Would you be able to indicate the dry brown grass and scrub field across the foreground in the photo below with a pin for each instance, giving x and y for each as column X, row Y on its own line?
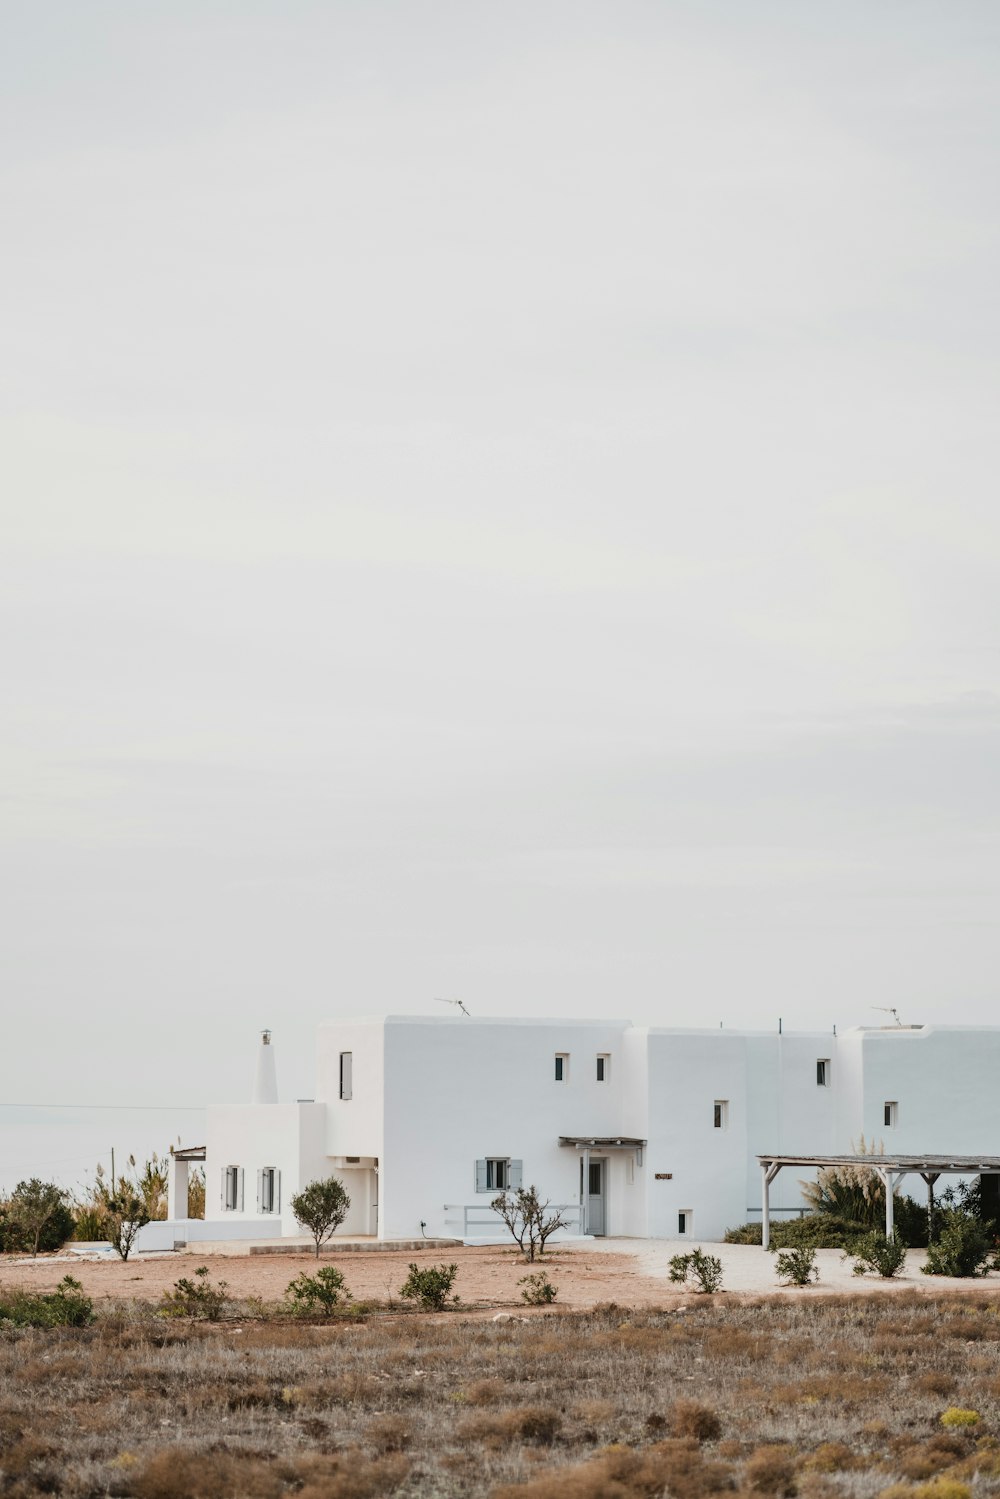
column 779, row 1396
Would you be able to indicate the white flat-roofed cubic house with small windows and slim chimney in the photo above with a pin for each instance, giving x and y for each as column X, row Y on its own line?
column 635, row 1131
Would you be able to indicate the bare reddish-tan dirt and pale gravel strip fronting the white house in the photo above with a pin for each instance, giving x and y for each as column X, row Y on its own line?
column 632, row 1273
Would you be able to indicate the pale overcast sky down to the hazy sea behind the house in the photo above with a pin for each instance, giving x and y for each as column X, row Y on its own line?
column 497, row 501
